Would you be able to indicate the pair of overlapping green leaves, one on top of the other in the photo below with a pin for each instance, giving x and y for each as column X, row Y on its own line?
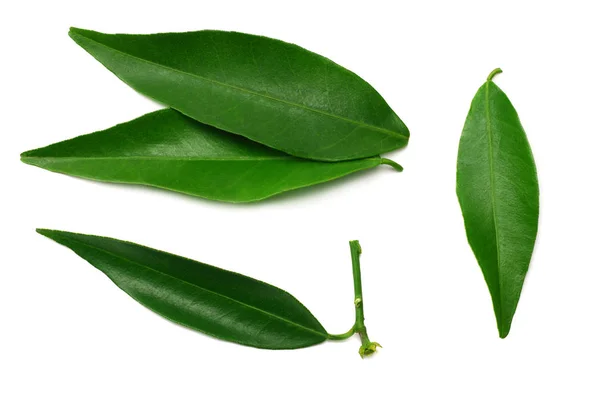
column 250, row 117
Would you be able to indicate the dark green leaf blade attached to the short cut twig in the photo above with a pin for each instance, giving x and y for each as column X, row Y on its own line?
column 211, row 300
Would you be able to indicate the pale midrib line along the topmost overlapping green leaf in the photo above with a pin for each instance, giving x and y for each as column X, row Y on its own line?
column 359, row 123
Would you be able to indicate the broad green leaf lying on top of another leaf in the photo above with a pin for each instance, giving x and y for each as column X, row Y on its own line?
column 272, row 92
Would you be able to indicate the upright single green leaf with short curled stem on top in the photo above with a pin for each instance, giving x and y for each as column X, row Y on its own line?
column 499, row 196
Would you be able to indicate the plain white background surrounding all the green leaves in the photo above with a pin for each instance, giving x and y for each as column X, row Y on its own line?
column 68, row 333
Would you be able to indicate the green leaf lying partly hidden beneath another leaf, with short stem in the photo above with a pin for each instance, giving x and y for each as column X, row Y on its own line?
column 169, row 150
